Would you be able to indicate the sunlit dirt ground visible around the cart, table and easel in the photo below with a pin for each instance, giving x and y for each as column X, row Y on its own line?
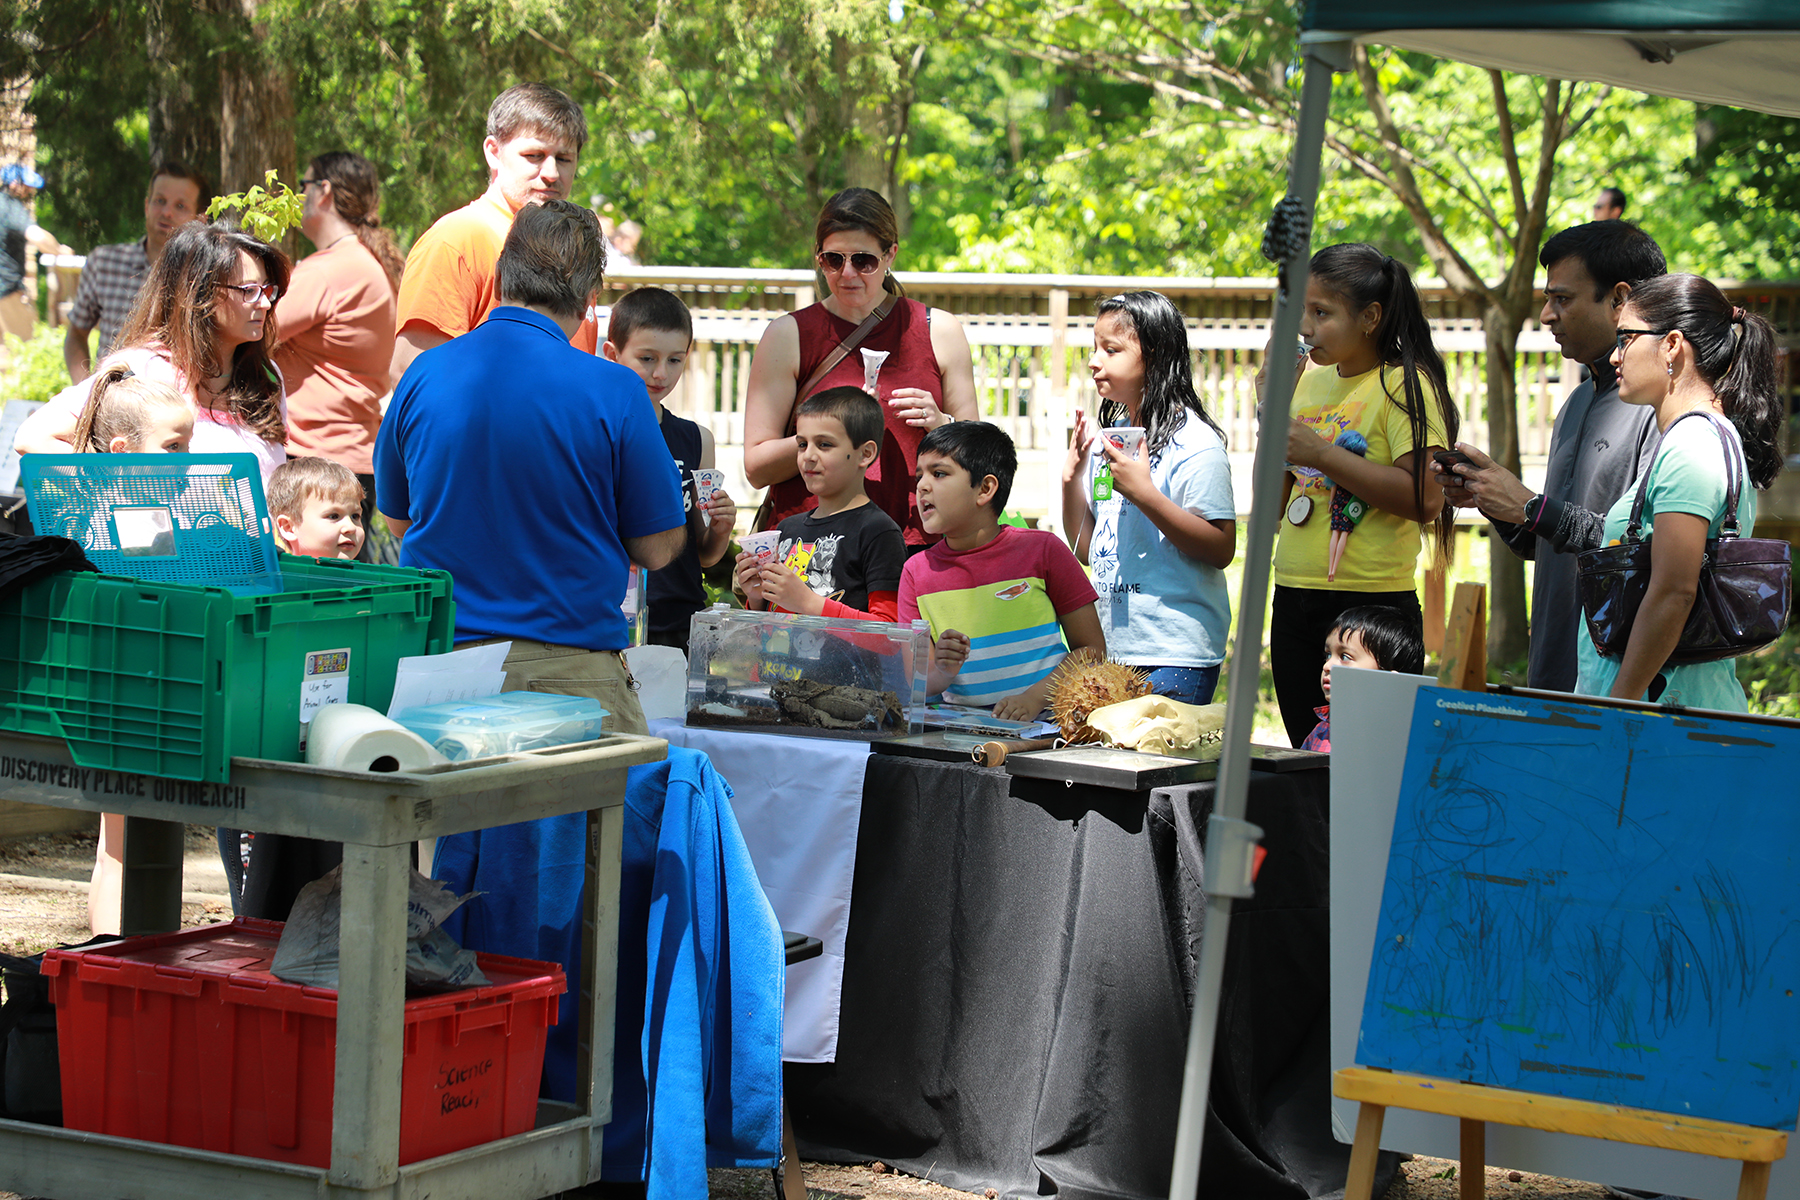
column 44, row 902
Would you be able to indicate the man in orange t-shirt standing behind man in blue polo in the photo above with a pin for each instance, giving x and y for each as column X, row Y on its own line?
column 535, row 134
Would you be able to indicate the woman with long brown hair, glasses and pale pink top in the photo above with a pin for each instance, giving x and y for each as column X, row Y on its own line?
column 204, row 327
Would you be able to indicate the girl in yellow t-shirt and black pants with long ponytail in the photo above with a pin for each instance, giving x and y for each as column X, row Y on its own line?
column 1358, row 452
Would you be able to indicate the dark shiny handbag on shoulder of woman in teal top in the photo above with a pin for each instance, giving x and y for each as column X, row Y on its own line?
column 1745, row 584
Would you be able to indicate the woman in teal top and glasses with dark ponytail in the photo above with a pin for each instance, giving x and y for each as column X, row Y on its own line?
column 1684, row 348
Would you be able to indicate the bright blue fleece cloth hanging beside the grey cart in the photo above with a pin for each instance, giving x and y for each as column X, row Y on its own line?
column 699, row 1082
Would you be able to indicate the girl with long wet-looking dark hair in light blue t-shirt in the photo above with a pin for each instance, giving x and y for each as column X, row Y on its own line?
column 1156, row 523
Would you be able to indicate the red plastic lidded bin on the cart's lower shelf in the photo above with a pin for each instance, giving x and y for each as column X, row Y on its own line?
column 186, row 1039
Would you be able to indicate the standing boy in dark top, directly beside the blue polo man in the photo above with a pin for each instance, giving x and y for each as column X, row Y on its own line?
column 652, row 334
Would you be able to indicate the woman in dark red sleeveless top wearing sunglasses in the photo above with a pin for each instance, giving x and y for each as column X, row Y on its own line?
column 926, row 381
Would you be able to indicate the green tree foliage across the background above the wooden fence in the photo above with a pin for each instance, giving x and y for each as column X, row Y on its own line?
column 1104, row 136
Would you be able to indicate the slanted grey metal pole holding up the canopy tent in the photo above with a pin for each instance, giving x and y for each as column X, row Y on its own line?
column 1230, row 839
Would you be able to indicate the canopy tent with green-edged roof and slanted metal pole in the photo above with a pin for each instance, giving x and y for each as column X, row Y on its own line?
column 1740, row 53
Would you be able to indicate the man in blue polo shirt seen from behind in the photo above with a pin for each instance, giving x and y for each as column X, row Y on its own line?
column 534, row 472
